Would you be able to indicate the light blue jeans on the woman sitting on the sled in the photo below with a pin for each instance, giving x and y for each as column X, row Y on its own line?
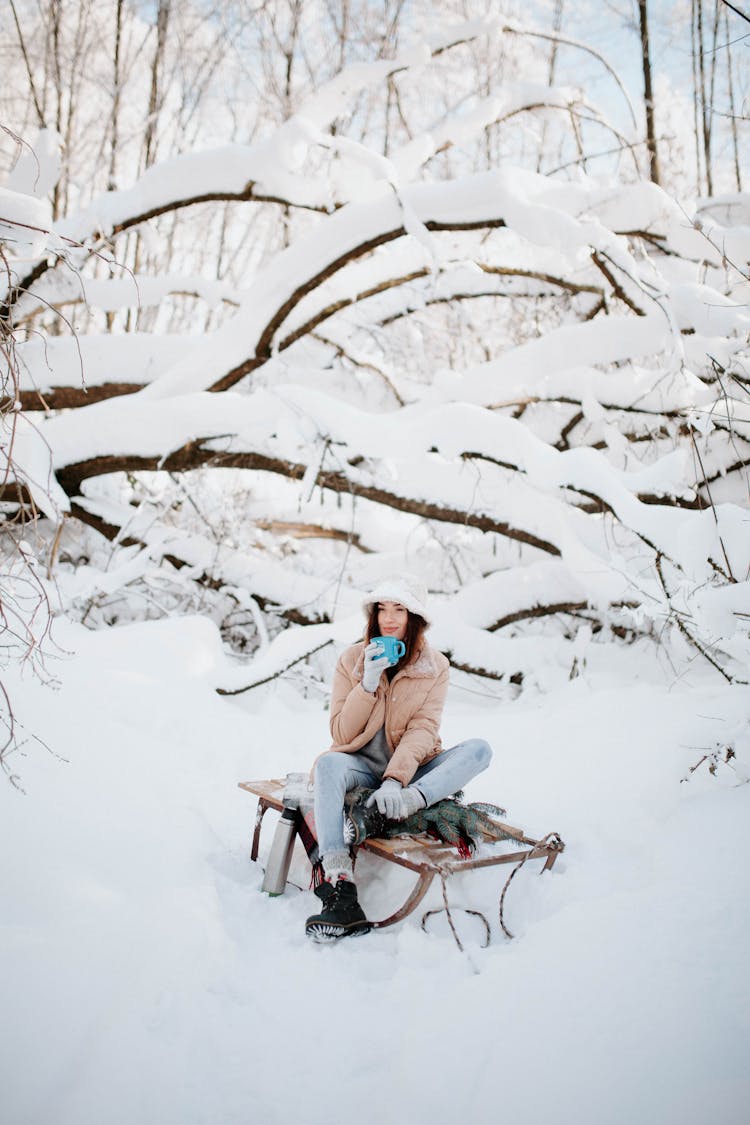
column 336, row 773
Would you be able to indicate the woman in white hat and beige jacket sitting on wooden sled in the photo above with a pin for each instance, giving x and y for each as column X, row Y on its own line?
column 385, row 723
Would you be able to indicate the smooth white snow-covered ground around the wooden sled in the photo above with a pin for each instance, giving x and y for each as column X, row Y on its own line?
column 147, row 978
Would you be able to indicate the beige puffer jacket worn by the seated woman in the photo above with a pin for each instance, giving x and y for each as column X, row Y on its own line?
column 410, row 708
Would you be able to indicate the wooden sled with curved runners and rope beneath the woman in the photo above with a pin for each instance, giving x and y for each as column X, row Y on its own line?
column 426, row 857
